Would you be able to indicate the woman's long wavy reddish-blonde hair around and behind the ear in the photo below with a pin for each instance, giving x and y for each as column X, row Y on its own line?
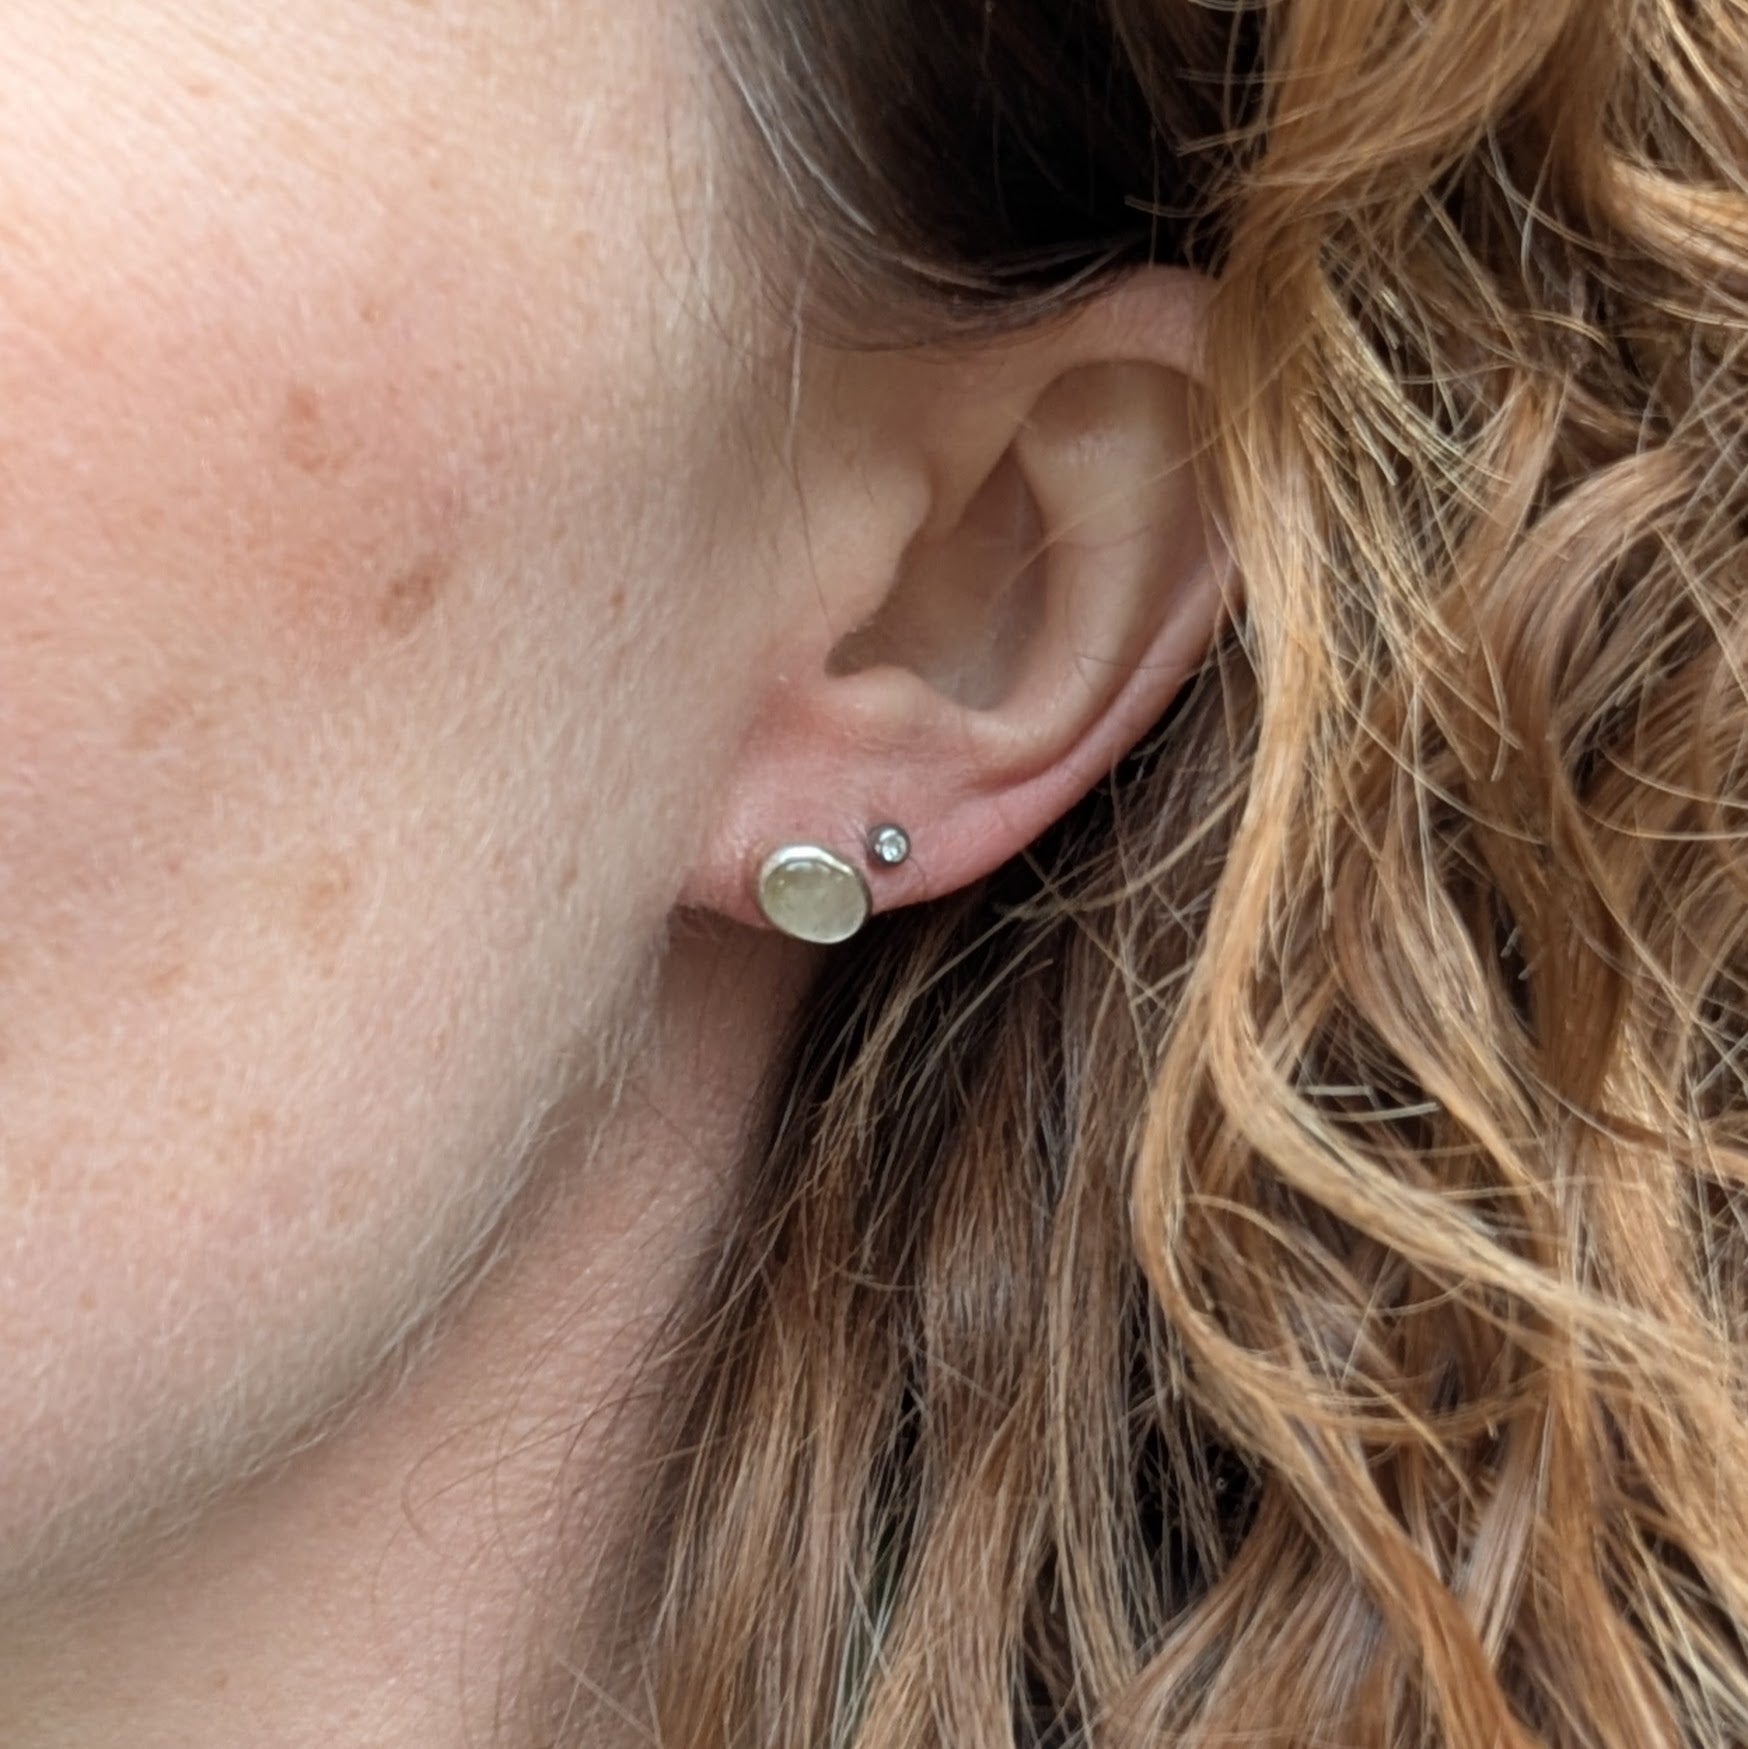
column 1271, row 1267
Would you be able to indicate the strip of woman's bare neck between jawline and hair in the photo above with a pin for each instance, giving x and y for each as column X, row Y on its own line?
column 389, row 1585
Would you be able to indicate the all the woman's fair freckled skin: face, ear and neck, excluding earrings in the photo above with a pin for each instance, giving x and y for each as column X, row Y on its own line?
column 417, row 617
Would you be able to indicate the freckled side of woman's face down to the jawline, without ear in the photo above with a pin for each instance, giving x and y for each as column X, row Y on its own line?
column 368, row 499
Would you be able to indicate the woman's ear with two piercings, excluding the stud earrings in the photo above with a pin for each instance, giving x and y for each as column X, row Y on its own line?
column 1010, row 573
